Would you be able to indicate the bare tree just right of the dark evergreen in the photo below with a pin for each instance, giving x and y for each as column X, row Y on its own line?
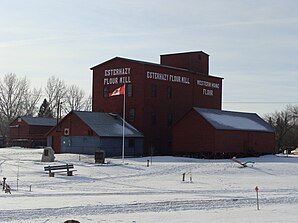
column 55, row 90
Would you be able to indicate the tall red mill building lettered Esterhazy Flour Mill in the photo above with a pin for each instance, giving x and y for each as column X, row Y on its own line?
column 157, row 95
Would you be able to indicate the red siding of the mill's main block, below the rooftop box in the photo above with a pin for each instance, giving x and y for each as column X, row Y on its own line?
column 186, row 93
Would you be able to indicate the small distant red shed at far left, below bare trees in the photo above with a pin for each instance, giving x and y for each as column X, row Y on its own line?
column 27, row 131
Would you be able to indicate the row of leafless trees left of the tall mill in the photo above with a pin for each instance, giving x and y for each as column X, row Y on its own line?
column 18, row 99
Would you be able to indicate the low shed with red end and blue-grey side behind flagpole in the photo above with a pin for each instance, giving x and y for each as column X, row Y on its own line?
column 84, row 132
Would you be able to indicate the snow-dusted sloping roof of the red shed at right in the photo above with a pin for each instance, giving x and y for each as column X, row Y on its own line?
column 229, row 120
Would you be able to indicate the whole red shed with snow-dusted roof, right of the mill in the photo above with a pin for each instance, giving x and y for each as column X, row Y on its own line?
column 213, row 133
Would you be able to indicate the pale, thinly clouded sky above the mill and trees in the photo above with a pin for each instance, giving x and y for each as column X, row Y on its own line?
column 253, row 44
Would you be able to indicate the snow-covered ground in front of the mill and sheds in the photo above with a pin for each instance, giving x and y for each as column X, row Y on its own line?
column 129, row 191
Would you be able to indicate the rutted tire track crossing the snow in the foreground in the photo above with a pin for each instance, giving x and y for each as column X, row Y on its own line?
column 163, row 206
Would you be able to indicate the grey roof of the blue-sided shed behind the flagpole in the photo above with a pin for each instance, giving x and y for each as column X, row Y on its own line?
column 107, row 124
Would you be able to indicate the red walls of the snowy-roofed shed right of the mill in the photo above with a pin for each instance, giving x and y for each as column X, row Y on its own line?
column 193, row 135
